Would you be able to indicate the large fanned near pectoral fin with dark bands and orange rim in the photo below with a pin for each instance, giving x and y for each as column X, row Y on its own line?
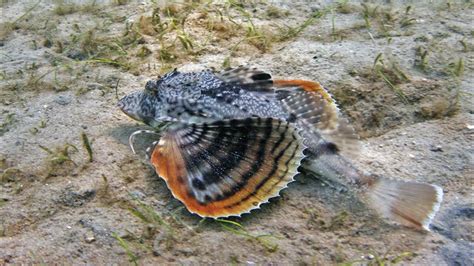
column 228, row 167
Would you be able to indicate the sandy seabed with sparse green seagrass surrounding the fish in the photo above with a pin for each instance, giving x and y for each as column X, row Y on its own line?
column 401, row 72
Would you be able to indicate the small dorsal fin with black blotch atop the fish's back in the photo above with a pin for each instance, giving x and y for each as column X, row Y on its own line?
column 249, row 78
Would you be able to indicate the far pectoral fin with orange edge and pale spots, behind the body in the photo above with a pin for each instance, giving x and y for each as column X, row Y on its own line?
column 314, row 110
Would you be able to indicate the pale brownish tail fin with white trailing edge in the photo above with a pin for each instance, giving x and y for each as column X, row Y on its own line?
column 408, row 203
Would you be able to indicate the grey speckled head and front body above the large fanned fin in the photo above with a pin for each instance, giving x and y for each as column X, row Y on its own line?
column 198, row 97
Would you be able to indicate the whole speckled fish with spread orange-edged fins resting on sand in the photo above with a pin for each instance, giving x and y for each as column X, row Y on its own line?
column 229, row 141
